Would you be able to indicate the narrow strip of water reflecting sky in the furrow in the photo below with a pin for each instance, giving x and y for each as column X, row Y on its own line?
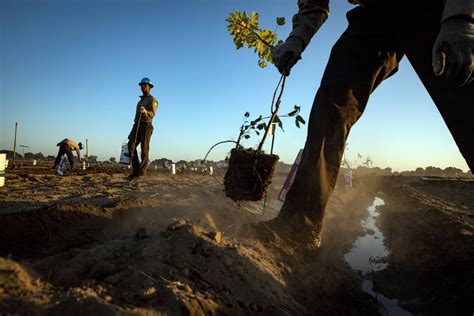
column 367, row 256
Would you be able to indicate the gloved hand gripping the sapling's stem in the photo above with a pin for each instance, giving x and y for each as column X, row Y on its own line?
column 286, row 55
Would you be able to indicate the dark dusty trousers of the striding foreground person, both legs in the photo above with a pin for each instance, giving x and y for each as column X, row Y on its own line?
column 368, row 52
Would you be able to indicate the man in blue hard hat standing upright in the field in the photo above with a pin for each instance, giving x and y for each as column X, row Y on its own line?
column 142, row 128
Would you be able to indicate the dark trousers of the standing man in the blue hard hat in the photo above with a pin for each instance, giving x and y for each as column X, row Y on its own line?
column 145, row 130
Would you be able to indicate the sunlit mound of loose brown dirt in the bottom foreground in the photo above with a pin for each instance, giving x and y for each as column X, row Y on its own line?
column 184, row 268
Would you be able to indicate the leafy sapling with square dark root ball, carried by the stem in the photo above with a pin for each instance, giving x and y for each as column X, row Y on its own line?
column 250, row 170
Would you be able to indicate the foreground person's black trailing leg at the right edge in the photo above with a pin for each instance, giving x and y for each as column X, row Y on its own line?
column 456, row 104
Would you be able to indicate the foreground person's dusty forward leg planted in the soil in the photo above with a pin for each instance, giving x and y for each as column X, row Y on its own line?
column 360, row 60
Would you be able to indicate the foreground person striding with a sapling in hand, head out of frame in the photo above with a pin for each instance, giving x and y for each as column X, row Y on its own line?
column 437, row 38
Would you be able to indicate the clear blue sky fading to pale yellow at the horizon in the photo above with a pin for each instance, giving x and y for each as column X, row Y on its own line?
column 71, row 69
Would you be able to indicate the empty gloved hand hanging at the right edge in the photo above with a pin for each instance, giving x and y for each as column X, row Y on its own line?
column 453, row 51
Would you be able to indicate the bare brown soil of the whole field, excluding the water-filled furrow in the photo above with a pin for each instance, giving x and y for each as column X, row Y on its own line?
column 95, row 243
